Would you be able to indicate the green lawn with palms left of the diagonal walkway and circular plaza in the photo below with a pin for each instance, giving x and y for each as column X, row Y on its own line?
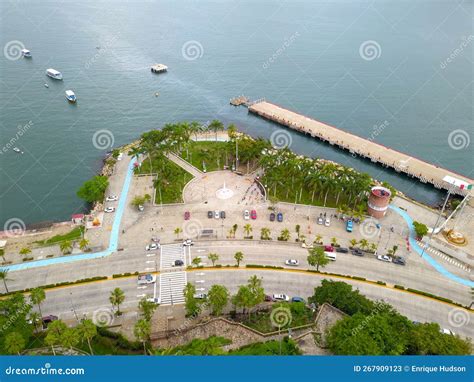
column 171, row 179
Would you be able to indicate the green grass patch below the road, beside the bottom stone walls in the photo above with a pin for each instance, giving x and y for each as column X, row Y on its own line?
column 300, row 315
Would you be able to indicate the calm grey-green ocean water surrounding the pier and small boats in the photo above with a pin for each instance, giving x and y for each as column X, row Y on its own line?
column 397, row 72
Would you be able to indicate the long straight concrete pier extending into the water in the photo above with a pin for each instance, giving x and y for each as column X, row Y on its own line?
column 423, row 171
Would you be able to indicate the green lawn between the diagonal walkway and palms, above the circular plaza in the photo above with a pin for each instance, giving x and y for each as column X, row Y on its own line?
column 214, row 155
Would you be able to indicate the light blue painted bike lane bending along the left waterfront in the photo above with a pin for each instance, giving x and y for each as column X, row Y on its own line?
column 113, row 241
